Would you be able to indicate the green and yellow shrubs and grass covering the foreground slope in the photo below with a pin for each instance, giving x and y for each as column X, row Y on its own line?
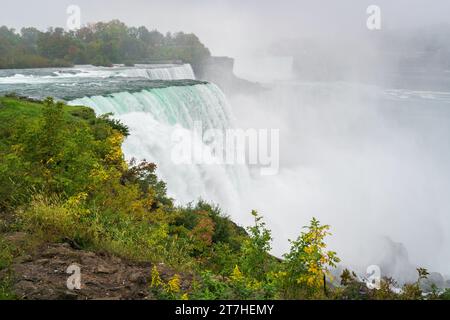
column 63, row 179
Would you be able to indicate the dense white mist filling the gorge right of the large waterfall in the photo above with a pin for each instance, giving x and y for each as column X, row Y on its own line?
column 367, row 170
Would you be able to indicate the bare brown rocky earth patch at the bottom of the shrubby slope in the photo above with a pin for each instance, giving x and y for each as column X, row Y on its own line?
column 43, row 276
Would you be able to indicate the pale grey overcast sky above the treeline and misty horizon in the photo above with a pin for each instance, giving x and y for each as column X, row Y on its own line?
column 228, row 27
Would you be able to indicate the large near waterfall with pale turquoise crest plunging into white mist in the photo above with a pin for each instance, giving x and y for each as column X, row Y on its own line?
column 153, row 115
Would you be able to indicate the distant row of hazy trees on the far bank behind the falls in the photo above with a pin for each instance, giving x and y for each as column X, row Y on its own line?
column 101, row 44
